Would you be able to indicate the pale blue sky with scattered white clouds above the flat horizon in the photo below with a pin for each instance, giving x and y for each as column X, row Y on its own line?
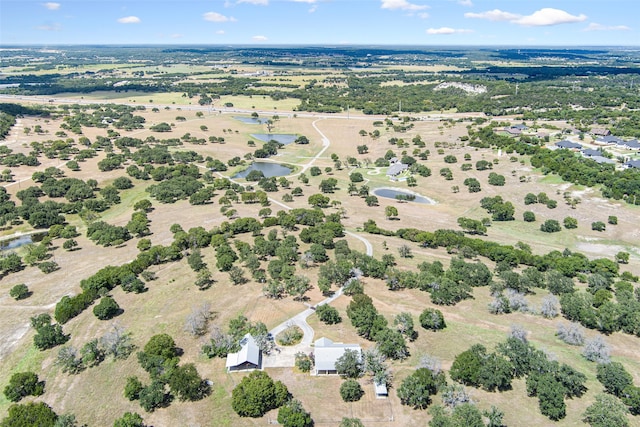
column 322, row 22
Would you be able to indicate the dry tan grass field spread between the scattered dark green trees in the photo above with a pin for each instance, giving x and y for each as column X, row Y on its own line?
column 95, row 395
